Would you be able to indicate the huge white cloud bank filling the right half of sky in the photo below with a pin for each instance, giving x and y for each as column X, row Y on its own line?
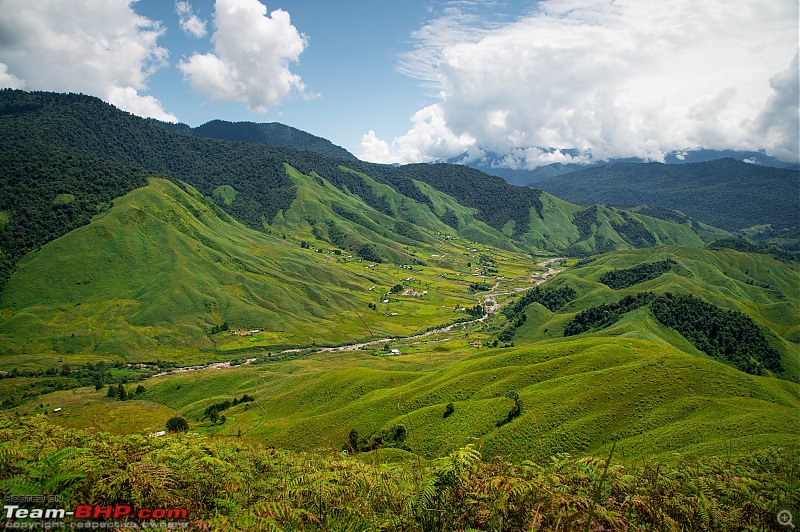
column 602, row 79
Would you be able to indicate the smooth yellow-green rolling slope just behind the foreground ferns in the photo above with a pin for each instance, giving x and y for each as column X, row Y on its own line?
column 577, row 396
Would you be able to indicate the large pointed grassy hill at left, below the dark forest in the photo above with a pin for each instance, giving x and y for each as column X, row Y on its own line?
column 151, row 277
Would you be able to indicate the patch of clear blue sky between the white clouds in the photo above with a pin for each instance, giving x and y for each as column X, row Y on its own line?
column 348, row 67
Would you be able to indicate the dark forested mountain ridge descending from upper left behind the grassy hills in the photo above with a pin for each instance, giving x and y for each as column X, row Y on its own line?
column 250, row 182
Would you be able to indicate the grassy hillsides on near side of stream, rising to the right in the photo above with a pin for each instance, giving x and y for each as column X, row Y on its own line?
column 636, row 381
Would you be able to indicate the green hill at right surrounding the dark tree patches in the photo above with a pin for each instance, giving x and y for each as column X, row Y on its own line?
column 763, row 288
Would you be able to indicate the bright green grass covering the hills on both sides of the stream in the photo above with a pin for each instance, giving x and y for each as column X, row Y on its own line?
column 150, row 277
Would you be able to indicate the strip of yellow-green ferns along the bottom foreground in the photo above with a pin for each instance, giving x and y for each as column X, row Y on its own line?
column 230, row 485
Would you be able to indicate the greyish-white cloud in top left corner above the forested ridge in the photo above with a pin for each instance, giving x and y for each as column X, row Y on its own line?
column 98, row 47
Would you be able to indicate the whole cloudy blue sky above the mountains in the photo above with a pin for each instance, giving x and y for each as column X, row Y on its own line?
column 527, row 82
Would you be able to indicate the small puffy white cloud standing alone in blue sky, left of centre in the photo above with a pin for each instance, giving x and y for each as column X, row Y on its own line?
column 252, row 53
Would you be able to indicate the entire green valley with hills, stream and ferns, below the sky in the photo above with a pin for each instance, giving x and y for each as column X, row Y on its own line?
column 407, row 334
